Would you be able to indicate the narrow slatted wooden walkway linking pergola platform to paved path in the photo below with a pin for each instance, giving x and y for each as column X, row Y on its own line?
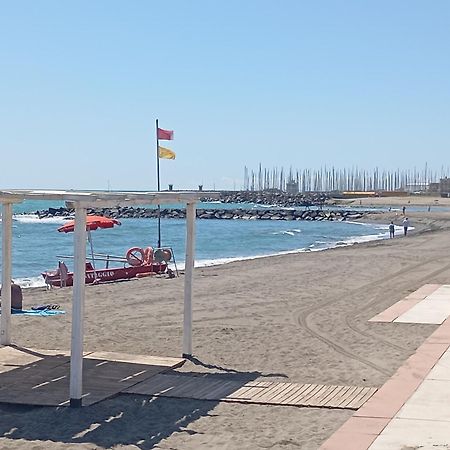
column 212, row 387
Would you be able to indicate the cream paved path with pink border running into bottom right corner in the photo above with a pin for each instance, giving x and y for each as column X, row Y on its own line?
column 411, row 411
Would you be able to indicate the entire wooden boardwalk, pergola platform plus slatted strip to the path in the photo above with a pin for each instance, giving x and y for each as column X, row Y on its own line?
column 41, row 377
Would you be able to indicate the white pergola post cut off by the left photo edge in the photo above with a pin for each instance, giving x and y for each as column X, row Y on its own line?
column 5, row 321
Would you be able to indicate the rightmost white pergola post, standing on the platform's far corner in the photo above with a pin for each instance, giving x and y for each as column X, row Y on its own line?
column 188, row 272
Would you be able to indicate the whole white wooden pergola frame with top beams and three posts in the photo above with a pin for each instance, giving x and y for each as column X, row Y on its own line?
column 80, row 201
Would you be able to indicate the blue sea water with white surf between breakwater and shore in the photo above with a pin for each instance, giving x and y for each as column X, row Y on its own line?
column 37, row 245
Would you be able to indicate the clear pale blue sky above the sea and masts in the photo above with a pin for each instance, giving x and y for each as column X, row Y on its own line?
column 289, row 83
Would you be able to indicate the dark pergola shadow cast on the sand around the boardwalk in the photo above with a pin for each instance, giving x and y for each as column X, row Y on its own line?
column 125, row 419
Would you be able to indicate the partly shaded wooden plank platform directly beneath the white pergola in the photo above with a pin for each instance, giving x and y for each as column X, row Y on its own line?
column 41, row 377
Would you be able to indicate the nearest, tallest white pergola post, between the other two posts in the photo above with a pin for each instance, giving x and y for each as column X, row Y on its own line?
column 76, row 353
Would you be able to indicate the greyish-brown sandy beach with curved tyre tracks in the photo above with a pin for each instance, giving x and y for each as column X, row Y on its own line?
column 299, row 318
